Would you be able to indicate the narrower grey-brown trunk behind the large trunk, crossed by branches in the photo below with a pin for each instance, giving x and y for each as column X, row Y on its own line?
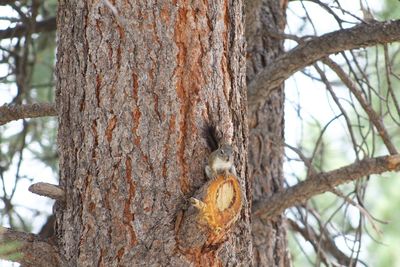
column 266, row 130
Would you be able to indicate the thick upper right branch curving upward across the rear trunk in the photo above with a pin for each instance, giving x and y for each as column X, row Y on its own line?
column 310, row 51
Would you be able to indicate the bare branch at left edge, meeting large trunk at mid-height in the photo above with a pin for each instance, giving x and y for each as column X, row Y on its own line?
column 17, row 112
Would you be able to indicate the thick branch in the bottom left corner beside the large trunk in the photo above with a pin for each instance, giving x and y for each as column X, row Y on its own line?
column 29, row 249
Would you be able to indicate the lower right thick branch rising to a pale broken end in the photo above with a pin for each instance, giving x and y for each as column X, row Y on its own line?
column 322, row 182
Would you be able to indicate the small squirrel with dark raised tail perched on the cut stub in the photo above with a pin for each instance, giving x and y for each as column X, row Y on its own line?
column 221, row 159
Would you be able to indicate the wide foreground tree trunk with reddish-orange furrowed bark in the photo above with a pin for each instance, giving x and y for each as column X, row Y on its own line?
column 134, row 99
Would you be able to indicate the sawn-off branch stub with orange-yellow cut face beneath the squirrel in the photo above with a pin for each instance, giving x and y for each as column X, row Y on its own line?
column 213, row 211
